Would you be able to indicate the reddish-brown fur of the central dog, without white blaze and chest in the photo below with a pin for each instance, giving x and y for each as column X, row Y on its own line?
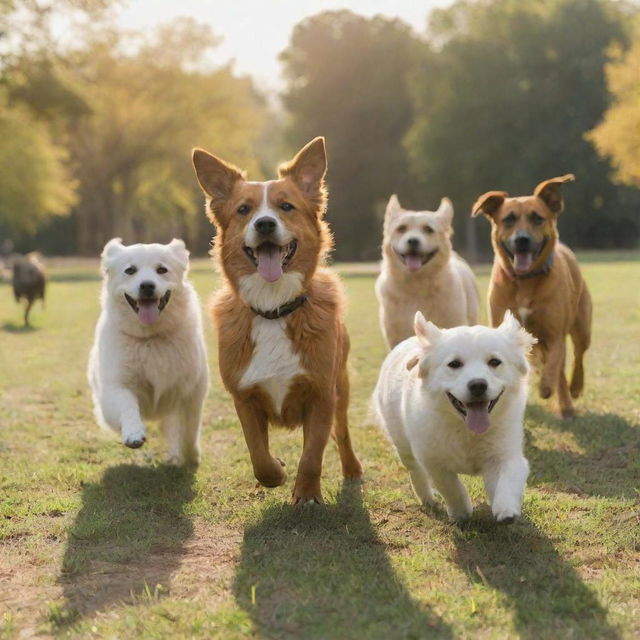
column 316, row 330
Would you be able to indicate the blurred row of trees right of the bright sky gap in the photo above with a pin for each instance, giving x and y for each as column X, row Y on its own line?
column 496, row 94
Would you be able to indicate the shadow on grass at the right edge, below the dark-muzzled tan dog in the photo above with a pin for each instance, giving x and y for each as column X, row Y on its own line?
column 608, row 466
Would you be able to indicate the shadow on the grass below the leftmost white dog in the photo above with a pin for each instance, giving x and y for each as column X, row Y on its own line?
column 126, row 539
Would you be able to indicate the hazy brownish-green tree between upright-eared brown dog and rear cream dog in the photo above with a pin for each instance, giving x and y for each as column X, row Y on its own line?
column 346, row 80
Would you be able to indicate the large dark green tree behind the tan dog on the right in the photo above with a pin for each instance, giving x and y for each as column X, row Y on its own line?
column 503, row 98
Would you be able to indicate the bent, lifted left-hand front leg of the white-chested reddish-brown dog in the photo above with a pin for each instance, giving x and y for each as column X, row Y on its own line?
column 268, row 471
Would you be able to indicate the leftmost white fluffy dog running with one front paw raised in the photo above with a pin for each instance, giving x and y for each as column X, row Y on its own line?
column 149, row 357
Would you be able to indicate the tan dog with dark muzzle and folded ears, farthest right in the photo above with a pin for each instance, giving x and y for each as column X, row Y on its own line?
column 538, row 278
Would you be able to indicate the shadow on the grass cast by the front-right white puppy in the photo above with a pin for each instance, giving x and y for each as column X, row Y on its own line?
column 548, row 597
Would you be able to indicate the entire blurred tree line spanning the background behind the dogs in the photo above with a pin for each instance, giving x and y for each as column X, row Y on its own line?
column 495, row 94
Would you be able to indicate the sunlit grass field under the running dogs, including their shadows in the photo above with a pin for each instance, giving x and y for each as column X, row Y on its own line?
column 98, row 541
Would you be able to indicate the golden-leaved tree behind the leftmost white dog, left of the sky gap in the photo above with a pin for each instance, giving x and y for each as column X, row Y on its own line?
column 146, row 111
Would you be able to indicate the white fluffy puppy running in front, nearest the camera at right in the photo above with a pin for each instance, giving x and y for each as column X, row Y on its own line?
column 452, row 401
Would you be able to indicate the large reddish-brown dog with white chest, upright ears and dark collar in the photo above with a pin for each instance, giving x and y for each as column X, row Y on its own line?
column 282, row 342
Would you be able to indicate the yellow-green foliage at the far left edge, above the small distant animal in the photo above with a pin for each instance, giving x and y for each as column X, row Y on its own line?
column 34, row 181
